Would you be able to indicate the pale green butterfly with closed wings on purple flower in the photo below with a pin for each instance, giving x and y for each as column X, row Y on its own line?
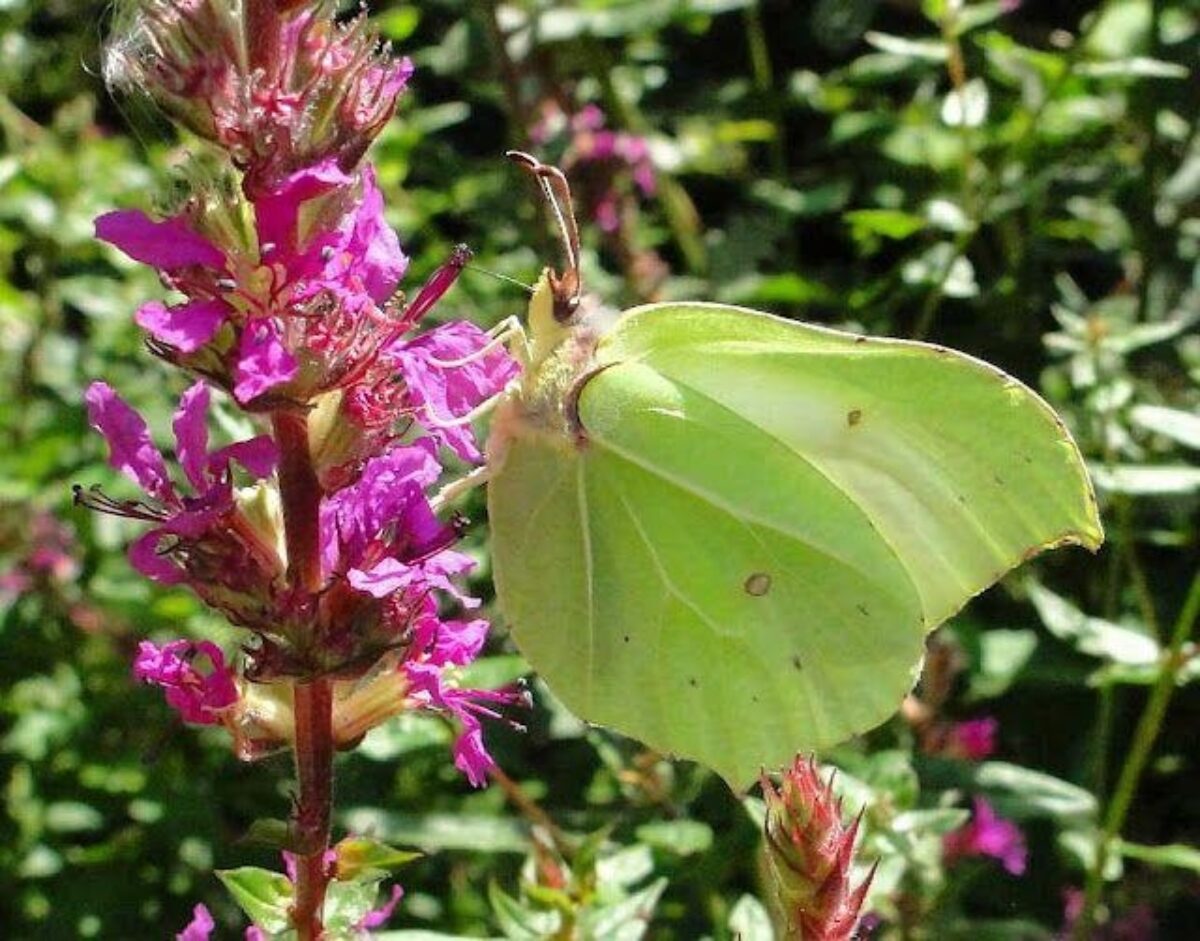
column 728, row 535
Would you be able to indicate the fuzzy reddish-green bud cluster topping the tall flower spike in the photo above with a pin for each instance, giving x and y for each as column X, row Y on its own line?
column 279, row 87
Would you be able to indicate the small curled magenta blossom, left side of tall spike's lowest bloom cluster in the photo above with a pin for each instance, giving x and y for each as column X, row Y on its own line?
column 199, row 698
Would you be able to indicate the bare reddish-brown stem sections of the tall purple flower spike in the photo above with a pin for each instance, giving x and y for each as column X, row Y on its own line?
column 314, row 700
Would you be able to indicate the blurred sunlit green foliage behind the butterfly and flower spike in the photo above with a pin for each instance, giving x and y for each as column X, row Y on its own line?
column 1021, row 183
